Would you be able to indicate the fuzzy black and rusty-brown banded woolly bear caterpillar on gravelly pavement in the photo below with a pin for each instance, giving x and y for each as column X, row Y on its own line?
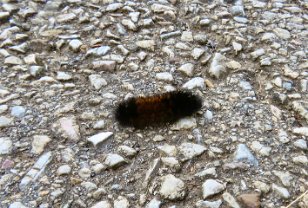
column 140, row 112
